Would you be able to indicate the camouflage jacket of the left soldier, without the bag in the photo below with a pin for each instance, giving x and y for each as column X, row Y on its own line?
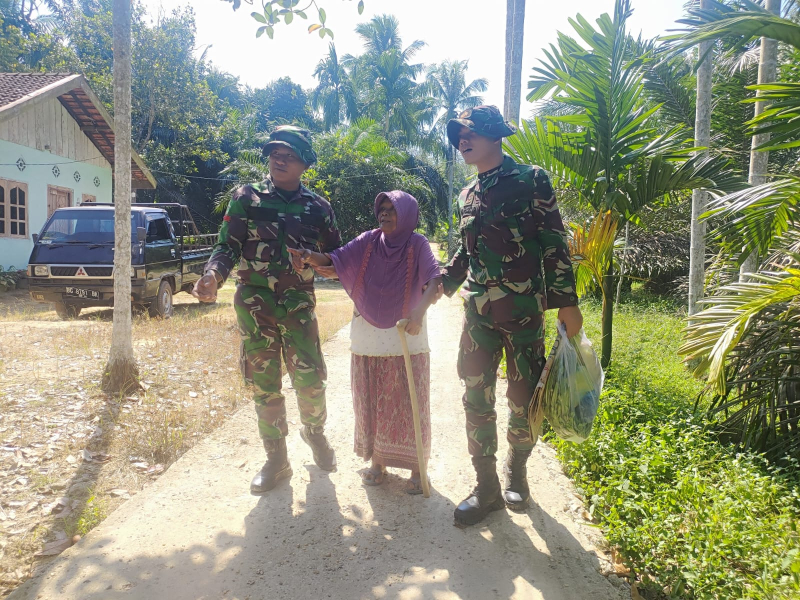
column 258, row 227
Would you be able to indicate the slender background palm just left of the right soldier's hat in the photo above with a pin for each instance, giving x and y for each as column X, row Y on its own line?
column 448, row 87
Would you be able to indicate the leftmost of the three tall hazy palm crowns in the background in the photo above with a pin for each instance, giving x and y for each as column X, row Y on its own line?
column 334, row 93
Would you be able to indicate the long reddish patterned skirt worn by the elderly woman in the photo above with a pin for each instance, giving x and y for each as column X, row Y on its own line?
column 384, row 420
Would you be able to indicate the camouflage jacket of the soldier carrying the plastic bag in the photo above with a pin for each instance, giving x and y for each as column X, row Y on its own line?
column 514, row 252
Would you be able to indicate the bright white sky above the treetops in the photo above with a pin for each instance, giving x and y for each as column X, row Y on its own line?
column 452, row 29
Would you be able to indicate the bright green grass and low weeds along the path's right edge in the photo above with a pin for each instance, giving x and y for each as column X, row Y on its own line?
column 692, row 518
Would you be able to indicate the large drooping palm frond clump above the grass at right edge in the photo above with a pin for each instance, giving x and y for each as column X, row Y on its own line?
column 748, row 341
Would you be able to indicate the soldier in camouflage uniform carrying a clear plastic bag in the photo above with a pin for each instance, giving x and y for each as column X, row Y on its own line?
column 516, row 264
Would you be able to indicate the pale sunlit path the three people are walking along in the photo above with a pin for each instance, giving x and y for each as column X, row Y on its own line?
column 197, row 533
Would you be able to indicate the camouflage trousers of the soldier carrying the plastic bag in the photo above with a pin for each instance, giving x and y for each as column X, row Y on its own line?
column 481, row 348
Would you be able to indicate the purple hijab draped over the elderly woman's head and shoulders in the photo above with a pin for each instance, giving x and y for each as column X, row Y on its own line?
column 384, row 274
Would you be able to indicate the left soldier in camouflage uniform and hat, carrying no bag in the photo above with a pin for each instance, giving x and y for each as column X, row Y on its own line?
column 274, row 302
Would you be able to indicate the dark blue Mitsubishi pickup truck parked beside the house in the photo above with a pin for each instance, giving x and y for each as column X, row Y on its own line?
column 72, row 262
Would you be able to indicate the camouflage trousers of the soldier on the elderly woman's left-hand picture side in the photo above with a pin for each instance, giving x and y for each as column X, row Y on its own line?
column 268, row 330
